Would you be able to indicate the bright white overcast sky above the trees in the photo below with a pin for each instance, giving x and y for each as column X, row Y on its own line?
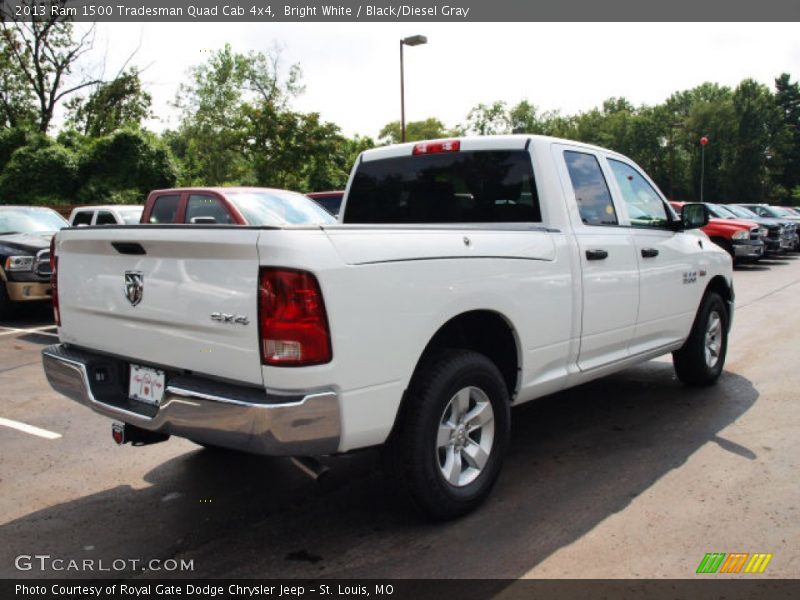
column 351, row 70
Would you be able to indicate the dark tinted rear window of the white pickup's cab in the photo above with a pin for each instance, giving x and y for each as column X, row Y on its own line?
column 451, row 187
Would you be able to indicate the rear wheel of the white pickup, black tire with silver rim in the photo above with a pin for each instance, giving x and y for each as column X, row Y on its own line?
column 413, row 455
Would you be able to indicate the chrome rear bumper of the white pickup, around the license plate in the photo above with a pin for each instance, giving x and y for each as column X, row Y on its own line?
column 203, row 410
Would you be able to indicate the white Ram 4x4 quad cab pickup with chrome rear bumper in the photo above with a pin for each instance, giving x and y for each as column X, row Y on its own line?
column 463, row 277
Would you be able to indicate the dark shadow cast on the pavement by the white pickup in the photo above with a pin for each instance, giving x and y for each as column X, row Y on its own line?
column 576, row 458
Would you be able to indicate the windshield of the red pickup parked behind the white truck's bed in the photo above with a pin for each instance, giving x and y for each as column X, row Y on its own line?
column 278, row 208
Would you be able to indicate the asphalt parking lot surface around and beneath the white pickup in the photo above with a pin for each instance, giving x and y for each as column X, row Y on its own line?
column 632, row 476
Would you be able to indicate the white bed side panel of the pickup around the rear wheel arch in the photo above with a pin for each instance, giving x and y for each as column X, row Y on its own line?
column 387, row 292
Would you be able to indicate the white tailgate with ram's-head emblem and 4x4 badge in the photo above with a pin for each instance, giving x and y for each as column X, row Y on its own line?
column 185, row 275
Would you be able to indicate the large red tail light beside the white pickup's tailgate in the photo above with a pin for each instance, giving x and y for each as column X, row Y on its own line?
column 292, row 321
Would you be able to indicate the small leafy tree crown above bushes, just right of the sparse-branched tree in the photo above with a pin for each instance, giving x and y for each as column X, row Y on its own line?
column 113, row 105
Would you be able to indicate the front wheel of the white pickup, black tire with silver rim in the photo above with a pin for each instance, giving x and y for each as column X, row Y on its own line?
column 691, row 361
